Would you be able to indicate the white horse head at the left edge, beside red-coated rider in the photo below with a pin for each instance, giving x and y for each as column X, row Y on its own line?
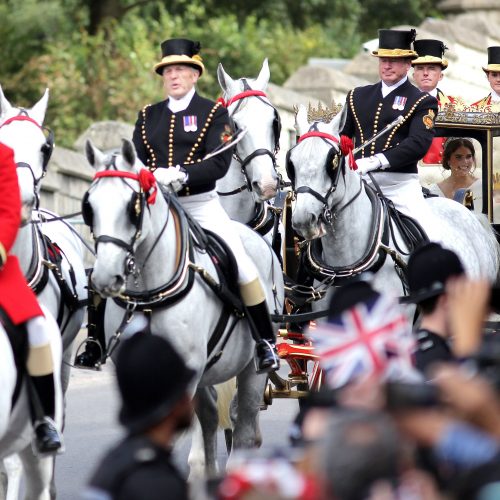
column 22, row 130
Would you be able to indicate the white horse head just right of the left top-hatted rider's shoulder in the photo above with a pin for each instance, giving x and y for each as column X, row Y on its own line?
column 249, row 108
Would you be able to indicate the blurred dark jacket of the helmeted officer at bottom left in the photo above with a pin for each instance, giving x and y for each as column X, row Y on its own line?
column 136, row 469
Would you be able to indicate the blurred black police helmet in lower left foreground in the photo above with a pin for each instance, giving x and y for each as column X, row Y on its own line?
column 152, row 378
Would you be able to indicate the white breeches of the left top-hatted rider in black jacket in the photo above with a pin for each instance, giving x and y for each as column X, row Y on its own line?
column 206, row 209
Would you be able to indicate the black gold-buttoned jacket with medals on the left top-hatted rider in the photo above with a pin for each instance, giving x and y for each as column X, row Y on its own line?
column 165, row 139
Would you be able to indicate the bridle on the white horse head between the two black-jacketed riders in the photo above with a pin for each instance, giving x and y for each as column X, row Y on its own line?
column 259, row 94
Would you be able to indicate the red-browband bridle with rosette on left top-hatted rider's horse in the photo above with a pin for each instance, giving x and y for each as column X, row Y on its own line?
column 136, row 207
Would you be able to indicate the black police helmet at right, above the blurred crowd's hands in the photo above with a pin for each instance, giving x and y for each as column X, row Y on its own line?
column 429, row 268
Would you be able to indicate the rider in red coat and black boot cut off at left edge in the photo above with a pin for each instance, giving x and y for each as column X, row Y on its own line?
column 22, row 315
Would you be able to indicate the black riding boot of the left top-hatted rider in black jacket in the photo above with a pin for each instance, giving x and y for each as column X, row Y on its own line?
column 260, row 322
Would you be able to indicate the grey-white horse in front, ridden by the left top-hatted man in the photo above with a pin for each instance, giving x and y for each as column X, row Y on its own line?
column 146, row 258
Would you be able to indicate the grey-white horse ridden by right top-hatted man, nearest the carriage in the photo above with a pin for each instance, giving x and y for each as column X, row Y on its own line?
column 334, row 204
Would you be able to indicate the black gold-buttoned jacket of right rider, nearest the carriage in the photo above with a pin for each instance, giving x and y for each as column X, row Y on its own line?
column 404, row 145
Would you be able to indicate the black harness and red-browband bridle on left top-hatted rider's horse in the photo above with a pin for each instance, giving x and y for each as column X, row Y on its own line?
column 189, row 236
